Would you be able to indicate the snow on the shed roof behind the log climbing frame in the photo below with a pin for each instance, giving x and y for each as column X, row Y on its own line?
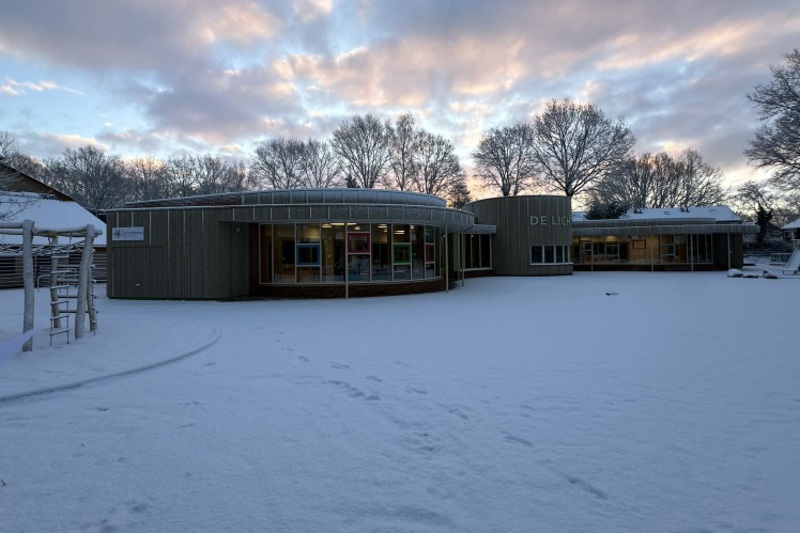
column 46, row 212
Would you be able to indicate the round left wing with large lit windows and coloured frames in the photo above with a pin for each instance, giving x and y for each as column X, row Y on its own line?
column 298, row 242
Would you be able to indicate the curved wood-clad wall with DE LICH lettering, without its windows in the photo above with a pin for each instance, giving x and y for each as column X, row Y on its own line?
column 523, row 222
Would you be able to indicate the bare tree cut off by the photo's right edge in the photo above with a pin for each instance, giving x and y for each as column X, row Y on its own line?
column 776, row 145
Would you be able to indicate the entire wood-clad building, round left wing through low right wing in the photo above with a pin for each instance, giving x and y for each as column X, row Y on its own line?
column 361, row 242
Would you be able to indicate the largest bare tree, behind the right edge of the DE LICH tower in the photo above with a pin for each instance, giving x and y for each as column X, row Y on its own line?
column 575, row 144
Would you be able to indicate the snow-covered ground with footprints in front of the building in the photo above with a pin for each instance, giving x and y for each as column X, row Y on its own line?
column 599, row 402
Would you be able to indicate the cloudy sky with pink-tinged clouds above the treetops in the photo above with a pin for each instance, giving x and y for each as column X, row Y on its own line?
column 166, row 77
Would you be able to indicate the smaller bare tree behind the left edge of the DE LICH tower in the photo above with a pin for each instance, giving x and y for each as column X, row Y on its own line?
column 505, row 160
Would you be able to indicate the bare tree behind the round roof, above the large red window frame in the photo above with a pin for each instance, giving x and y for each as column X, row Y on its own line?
column 363, row 144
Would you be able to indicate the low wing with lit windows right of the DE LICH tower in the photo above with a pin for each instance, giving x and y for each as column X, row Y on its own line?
column 694, row 238
